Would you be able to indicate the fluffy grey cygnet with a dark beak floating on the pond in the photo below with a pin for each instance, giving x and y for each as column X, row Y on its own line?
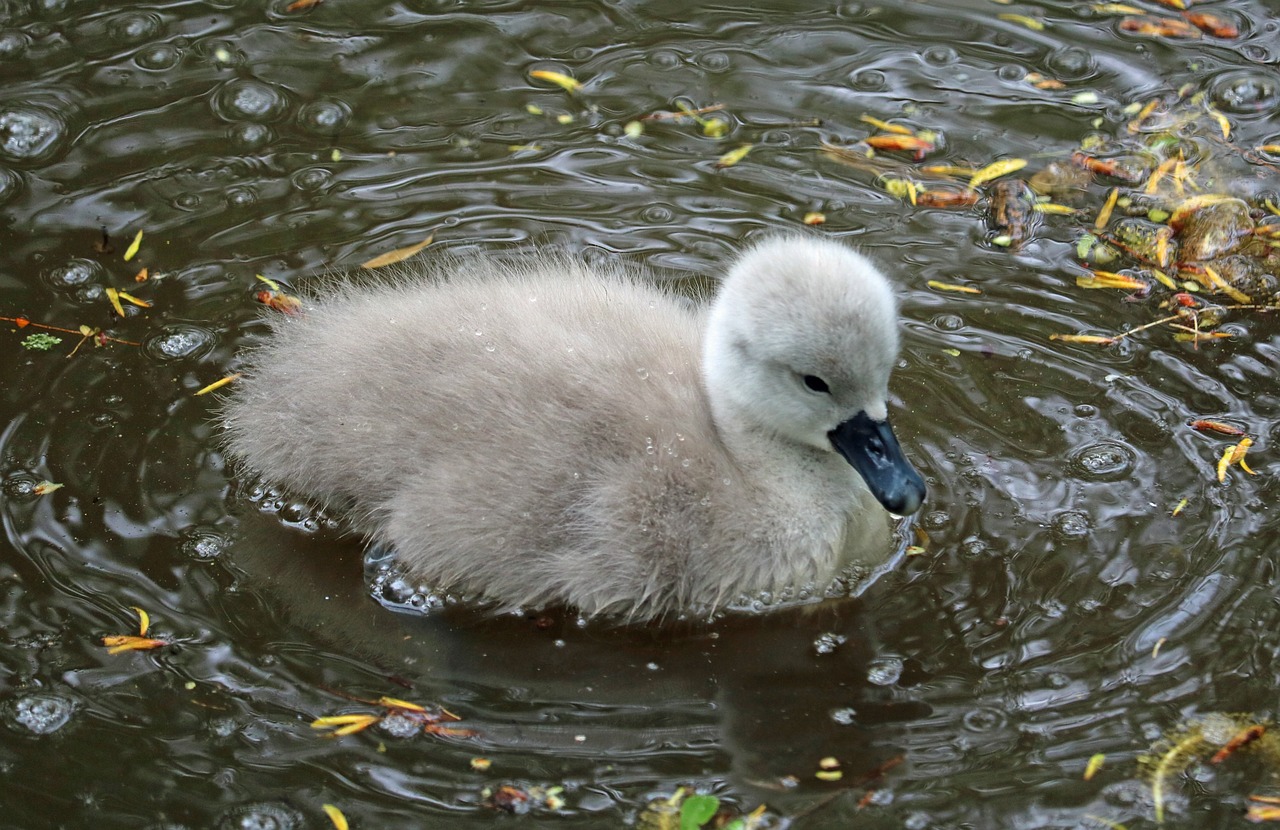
column 540, row 432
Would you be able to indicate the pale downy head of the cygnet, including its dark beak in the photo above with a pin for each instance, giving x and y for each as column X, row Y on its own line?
column 801, row 344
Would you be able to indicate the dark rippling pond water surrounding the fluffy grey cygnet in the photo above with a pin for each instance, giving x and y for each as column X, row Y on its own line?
column 1087, row 585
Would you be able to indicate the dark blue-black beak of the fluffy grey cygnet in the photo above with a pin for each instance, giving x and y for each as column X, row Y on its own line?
column 872, row 449
